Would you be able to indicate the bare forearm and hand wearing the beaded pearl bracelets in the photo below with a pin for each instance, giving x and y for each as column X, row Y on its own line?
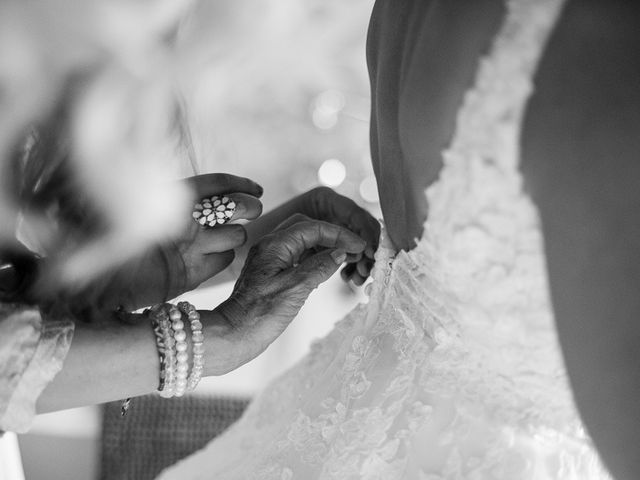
column 116, row 358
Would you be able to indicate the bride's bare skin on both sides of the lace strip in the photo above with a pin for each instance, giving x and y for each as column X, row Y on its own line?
column 580, row 151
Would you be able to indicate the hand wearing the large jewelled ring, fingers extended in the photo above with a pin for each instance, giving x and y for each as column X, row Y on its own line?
column 182, row 264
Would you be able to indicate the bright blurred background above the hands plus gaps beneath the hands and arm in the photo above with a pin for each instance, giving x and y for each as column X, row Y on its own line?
column 275, row 90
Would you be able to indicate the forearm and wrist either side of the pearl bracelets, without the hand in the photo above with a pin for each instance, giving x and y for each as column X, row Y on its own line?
column 121, row 360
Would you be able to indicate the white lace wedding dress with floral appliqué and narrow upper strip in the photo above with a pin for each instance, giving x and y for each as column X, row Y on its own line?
column 452, row 370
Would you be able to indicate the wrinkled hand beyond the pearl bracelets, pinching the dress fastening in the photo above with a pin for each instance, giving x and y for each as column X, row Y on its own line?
column 278, row 276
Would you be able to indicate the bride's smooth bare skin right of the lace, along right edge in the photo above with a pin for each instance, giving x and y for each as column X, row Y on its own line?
column 582, row 164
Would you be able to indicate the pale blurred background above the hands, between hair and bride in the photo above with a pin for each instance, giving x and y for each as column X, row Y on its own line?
column 278, row 91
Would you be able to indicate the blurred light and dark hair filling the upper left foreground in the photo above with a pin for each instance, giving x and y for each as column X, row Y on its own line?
column 85, row 91
